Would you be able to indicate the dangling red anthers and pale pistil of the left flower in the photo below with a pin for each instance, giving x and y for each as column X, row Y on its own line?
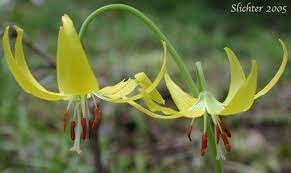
column 83, row 120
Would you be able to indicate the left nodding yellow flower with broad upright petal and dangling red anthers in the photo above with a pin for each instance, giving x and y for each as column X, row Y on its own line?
column 76, row 81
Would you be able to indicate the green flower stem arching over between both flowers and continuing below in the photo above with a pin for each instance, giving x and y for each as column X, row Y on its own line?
column 185, row 73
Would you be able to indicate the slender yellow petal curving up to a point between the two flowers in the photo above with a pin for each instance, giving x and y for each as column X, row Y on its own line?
column 148, row 90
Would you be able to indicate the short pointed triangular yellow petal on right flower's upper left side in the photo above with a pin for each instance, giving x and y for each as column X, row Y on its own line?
column 182, row 100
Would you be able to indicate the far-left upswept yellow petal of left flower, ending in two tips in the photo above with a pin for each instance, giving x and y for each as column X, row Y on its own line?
column 20, row 71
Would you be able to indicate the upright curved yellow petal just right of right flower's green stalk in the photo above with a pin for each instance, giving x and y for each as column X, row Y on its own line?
column 237, row 75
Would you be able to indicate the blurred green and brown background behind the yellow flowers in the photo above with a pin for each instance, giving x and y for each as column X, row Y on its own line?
column 119, row 45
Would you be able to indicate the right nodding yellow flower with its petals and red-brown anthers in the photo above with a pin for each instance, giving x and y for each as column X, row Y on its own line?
column 241, row 96
